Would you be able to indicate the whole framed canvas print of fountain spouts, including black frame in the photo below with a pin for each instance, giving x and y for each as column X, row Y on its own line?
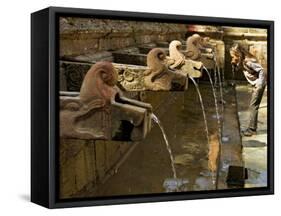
column 139, row 107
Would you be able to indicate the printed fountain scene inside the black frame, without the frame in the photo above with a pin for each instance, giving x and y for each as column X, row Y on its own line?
column 153, row 108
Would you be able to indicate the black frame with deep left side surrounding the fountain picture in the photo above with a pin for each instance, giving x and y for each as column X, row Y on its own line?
column 44, row 106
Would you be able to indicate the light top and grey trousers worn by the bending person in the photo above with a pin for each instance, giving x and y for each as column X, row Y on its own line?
column 256, row 76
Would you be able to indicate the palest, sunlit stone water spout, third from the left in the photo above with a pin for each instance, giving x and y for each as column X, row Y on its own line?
column 177, row 61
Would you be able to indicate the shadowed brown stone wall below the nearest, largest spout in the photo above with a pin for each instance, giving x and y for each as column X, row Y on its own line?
column 85, row 164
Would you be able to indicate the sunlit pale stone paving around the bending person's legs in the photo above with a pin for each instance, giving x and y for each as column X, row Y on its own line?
column 254, row 147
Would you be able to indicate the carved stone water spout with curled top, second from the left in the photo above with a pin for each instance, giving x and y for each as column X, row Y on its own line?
column 158, row 77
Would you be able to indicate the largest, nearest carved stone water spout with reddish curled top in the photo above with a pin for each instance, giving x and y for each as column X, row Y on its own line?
column 94, row 113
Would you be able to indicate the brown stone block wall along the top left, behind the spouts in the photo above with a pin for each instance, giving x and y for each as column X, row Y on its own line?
column 79, row 36
